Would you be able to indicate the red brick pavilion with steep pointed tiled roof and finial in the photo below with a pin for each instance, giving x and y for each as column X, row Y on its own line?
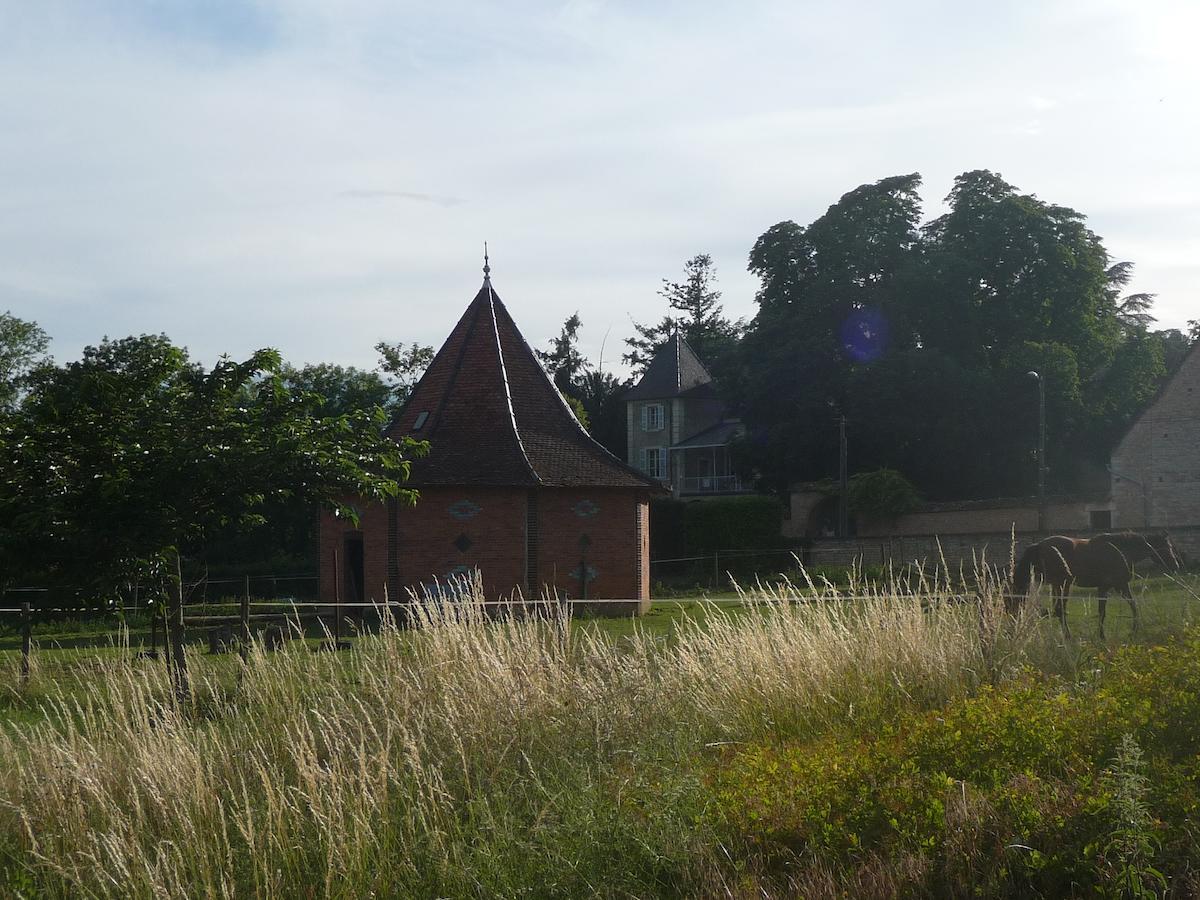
column 513, row 487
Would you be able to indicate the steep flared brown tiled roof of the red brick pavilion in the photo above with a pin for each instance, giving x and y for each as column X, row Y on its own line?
column 493, row 416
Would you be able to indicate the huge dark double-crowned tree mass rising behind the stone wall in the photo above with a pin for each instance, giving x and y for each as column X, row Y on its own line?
column 922, row 337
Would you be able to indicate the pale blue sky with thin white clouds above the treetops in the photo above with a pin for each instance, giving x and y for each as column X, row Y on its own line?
column 317, row 177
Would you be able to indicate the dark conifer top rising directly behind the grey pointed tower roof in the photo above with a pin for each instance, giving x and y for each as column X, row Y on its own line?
column 698, row 314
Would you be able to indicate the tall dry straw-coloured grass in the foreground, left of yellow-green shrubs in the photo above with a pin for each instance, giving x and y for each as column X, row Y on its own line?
column 466, row 758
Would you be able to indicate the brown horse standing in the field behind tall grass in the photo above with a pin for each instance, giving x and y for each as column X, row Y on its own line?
column 1105, row 562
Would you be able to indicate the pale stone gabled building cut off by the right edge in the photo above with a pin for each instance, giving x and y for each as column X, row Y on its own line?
column 1156, row 467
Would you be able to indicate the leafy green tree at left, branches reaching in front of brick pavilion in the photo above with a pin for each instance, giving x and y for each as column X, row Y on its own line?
column 135, row 454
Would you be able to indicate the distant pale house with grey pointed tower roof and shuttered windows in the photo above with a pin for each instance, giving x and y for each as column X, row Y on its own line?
column 679, row 428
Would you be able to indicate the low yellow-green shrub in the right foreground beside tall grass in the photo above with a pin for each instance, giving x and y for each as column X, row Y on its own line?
column 1010, row 790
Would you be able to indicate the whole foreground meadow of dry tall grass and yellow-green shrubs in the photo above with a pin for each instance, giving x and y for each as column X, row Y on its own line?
column 791, row 743
